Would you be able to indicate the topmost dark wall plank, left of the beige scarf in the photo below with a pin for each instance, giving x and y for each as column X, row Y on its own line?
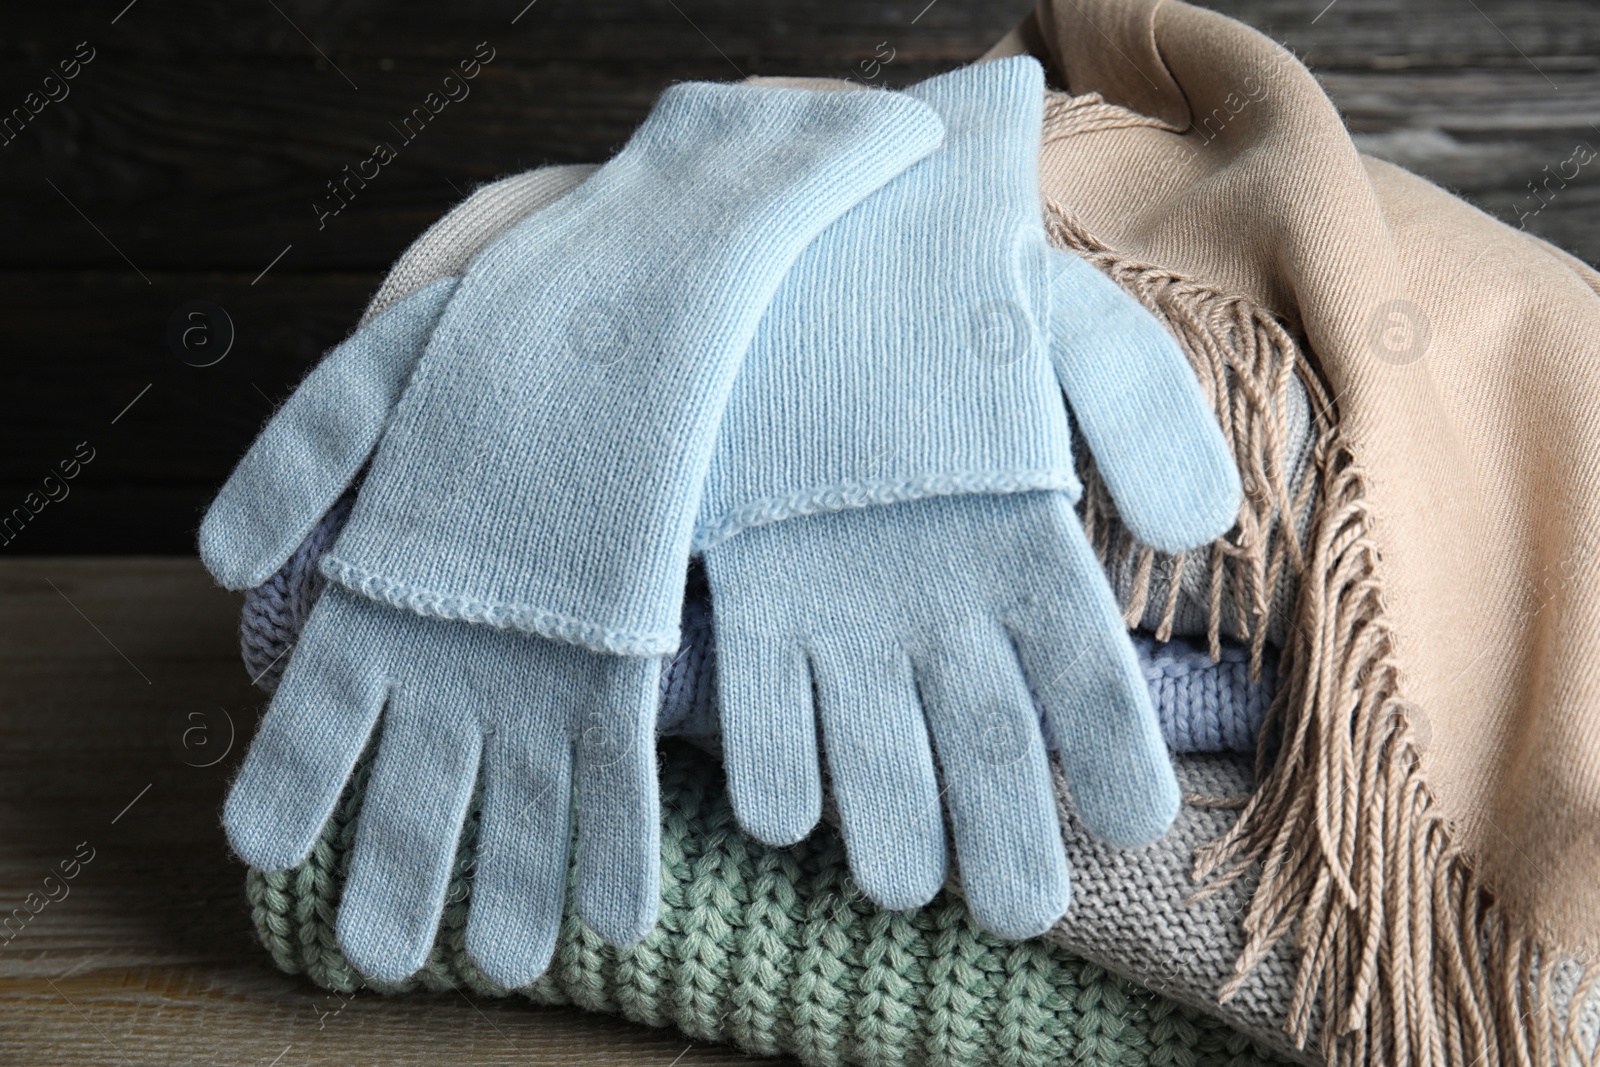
column 225, row 116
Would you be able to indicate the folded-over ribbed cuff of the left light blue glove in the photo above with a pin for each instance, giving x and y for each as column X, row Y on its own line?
column 545, row 468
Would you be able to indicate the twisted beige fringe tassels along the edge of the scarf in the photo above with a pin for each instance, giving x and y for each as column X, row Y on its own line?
column 1404, row 954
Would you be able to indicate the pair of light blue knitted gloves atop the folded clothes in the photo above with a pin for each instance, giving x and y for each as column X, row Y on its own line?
column 817, row 338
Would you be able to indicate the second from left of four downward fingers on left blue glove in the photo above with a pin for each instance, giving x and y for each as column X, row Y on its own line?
column 410, row 825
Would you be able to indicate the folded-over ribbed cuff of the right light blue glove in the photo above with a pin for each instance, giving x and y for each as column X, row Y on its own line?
column 906, row 353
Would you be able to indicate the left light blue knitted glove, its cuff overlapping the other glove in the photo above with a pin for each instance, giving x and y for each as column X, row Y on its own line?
column 538, row 433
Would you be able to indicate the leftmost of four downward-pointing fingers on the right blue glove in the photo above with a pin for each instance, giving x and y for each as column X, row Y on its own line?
column 769, row 733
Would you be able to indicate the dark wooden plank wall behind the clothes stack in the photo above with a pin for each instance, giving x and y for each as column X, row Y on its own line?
column 188, row 156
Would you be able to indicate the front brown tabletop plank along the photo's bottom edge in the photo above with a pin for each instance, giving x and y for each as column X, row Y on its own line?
column 210, row 1015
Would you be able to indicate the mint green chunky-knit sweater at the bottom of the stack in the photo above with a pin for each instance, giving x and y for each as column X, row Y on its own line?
column 777, row 953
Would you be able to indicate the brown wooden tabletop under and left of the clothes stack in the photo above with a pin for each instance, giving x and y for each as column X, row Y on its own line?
column 150, row 956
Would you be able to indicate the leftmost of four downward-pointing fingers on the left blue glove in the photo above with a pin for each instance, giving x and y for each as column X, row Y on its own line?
column 311, row 738
